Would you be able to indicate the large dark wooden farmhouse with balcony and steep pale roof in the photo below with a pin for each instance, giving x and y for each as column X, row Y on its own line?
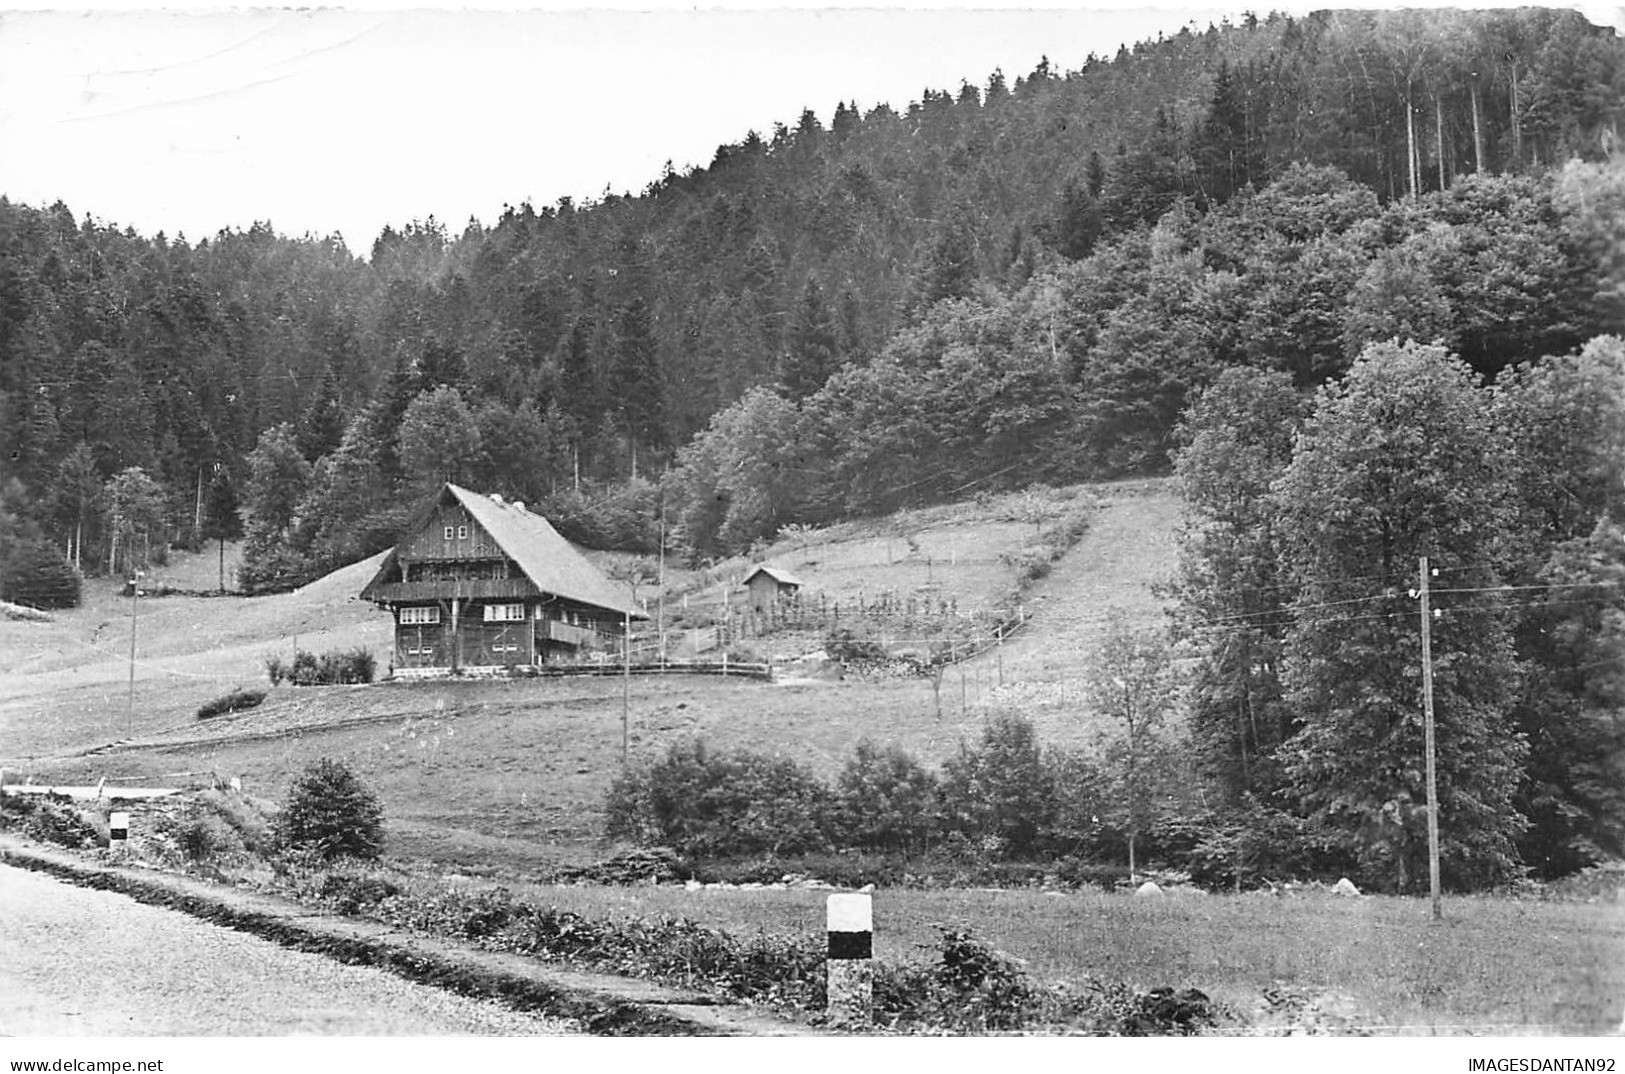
column 479, row 582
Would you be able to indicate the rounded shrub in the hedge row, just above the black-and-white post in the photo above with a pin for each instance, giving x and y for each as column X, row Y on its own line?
column 885, row 800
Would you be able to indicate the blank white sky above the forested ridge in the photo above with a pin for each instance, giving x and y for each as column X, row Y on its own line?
column 199, row 118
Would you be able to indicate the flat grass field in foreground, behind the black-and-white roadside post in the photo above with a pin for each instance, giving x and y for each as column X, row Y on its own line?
column 1493, row 966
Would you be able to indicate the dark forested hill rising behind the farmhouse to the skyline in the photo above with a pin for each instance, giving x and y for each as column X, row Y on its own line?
column 1012, row 280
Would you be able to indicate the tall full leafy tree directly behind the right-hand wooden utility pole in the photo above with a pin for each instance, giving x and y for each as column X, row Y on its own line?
column 1398, row 462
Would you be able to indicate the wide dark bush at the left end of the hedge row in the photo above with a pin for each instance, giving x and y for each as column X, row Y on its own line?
column 703, row 803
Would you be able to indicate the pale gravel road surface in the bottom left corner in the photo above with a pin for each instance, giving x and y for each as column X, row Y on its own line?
column 82, row 963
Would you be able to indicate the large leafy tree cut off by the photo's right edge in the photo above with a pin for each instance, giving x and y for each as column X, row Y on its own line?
column 1562, row 422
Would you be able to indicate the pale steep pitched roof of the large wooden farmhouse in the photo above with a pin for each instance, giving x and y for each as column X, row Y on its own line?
column 529, row 540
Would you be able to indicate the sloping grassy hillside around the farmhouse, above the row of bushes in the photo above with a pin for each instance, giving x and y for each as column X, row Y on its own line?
column 513, row 774
